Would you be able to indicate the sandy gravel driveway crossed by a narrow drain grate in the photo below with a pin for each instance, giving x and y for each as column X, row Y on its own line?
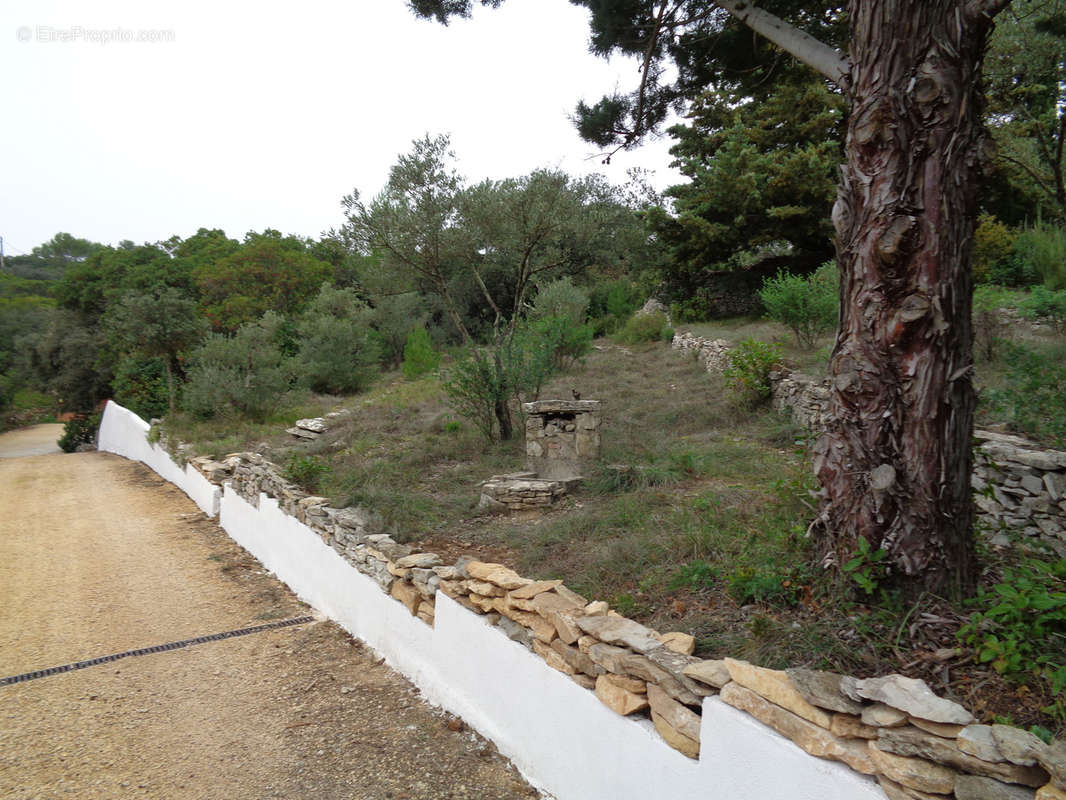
column 98, row 556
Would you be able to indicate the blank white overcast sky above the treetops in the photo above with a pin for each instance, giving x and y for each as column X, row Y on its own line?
column 266, row 115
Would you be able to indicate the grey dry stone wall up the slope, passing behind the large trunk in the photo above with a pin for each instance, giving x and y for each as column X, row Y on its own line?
column 1017, row 484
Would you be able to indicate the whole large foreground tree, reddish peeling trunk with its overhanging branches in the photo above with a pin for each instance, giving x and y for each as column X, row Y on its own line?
column 896, row 463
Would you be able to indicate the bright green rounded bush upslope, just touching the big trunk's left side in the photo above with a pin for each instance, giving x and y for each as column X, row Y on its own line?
column 807, row 306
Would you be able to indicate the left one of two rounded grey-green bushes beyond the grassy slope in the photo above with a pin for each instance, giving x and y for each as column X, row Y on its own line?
column 246, row 374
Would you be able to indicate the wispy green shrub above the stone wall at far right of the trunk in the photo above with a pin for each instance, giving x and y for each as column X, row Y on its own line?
column 1033, row 402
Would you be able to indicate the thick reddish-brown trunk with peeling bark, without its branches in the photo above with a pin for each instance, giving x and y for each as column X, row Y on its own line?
column 896, row 465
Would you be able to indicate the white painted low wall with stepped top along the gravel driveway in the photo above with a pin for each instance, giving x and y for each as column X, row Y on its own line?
column 561, row 738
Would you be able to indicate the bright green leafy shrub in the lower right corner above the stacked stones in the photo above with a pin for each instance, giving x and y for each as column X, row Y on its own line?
column 1021, row 627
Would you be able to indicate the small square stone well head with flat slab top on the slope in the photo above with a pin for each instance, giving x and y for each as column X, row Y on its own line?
column 562, row 438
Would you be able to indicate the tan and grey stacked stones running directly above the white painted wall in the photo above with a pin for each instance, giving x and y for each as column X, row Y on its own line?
column 917, row 745
